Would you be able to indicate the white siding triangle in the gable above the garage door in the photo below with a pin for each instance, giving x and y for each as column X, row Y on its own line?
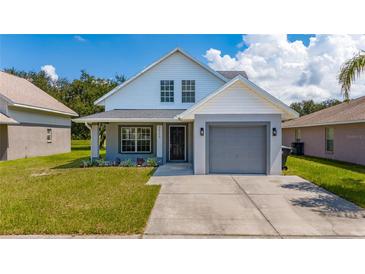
column 237, row 99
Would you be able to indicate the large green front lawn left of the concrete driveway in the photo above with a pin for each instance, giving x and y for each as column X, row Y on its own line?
column 52, row 195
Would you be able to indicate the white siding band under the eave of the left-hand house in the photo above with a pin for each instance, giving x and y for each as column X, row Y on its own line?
column 38, row 117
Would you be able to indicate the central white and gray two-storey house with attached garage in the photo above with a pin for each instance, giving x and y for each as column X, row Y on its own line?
column 179, row 110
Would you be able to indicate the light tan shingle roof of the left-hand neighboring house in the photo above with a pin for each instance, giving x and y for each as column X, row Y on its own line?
column 22, row 93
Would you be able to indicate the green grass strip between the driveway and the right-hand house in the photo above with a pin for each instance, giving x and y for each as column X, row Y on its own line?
column 344, row 179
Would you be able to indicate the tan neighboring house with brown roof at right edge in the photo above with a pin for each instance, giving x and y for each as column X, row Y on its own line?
column 335, row 133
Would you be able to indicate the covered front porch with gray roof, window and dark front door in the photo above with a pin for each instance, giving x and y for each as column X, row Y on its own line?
column 158, row 134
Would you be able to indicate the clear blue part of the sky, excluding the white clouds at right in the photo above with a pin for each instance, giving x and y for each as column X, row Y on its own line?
column 106, row 55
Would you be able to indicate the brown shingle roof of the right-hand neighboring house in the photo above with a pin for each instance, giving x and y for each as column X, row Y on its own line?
column 344, row 113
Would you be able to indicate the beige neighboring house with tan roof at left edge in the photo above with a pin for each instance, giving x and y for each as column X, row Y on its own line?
column 32, row 123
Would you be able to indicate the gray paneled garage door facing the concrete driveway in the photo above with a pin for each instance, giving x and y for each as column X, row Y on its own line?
column 237, row 149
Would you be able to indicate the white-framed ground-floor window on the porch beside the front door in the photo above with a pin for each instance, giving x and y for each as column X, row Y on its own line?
column 136, row 139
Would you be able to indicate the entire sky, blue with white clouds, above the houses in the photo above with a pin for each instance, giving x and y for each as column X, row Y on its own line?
column 291, row 67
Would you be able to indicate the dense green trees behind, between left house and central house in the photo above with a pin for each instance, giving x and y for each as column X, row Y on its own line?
column 79, row 94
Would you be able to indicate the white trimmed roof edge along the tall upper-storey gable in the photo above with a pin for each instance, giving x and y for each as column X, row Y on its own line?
column 219, row 75
